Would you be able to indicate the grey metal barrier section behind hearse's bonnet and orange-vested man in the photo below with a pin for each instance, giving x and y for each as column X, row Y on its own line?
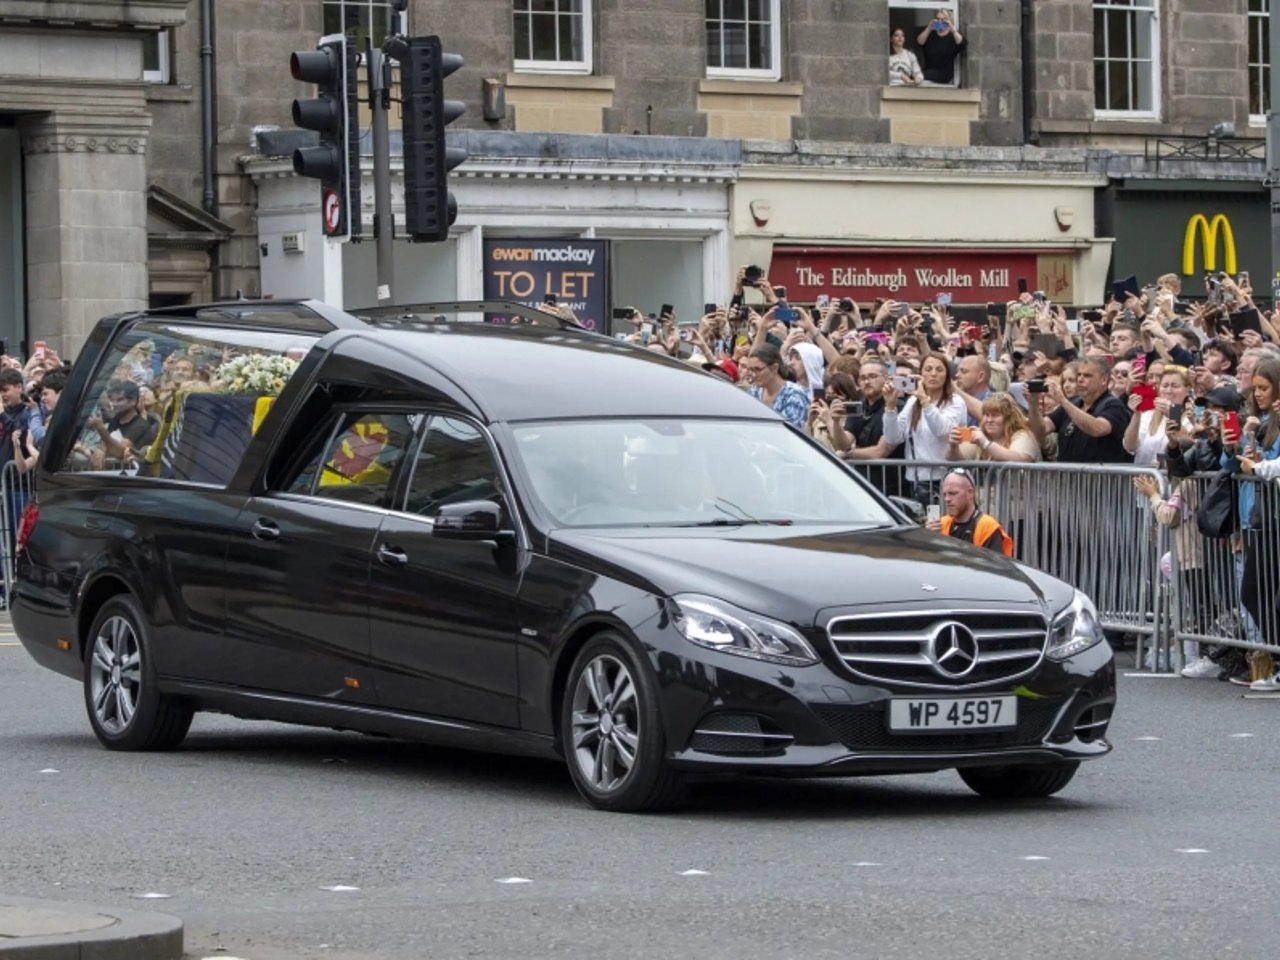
column 1085, row 524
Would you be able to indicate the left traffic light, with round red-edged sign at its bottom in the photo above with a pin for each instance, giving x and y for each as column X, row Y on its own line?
column 335, row 116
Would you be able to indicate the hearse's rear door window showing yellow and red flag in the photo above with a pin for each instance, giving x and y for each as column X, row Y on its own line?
column 358, row 465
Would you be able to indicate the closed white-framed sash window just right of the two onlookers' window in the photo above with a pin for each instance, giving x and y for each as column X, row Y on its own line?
column 1126, row 60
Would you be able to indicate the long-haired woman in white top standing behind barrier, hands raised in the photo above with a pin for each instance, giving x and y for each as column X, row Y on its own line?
column 926, row 423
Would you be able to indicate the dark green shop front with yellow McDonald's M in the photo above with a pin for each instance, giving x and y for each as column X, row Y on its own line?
column 1190, row 228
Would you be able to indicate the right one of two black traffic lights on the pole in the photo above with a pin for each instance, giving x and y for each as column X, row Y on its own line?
column 429, row 209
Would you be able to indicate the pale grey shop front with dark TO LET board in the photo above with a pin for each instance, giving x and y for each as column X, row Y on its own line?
column 595, row 222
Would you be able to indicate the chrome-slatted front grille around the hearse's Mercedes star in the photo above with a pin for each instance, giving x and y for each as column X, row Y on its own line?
column 1008, row 646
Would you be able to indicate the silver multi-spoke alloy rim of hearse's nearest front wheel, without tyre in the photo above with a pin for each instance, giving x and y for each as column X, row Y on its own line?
column 606, row 724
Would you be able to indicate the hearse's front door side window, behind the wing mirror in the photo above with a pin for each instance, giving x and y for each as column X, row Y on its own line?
column 454, row 465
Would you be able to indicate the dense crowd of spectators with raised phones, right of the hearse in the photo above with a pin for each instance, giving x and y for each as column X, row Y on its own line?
column 1149, row 380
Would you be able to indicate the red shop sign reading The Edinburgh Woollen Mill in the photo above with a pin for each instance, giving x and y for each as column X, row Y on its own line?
column 865, row 275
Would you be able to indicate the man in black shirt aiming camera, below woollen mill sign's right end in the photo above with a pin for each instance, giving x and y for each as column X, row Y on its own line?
column 1091, row 427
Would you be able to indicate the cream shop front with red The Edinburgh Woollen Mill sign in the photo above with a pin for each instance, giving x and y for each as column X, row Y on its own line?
column 862, row 225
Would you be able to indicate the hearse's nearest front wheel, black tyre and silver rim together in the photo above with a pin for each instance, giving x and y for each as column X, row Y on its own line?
column 612, row 732
